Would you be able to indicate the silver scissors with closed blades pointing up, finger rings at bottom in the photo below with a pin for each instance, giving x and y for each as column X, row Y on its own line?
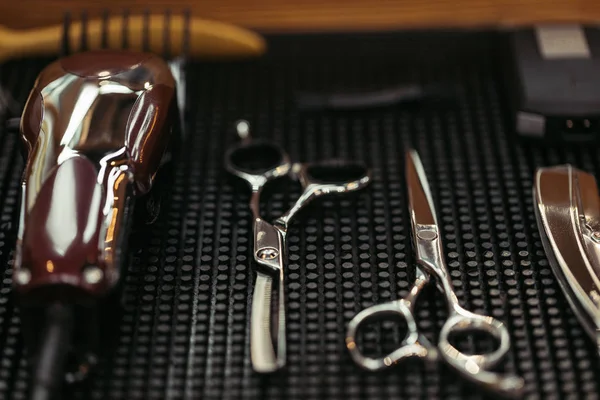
column 429, row 255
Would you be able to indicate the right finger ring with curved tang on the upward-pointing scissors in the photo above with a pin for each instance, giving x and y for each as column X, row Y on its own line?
column 474, row 366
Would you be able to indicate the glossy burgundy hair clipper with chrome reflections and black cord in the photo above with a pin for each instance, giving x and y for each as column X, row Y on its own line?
column 95, row 129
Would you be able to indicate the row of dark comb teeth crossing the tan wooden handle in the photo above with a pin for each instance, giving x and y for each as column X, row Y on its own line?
column 73, row 44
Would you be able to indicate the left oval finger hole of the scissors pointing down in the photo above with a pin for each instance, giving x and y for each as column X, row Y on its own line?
column 256, row 158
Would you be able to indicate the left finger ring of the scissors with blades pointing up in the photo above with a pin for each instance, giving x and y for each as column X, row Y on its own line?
column 413, row 345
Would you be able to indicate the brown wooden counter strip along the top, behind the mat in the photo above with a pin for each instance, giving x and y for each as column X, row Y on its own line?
column 324, row 15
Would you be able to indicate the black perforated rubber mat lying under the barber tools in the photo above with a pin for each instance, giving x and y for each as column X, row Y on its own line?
column 184, row 332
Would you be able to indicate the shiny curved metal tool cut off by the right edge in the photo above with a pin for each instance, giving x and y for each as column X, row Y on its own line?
column 567, row 208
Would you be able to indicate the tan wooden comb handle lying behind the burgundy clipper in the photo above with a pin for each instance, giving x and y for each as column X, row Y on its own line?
column 207, row 39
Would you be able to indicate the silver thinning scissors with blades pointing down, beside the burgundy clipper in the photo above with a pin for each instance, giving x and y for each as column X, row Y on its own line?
column 258, row 163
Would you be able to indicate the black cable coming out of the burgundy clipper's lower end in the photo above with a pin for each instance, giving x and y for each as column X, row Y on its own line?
column 49, row 366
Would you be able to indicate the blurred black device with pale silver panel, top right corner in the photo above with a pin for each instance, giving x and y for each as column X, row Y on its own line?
column 554, row 83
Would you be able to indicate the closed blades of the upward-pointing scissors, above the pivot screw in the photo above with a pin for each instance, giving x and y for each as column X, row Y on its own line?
column 420, row 202
